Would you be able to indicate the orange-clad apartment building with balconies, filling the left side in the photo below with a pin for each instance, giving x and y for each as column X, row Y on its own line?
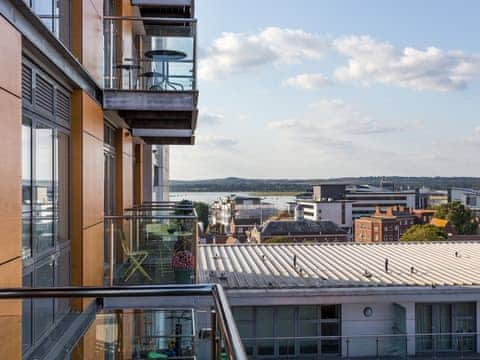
column 87, row 88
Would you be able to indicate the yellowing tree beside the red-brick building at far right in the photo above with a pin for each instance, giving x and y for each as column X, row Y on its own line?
column 459, row 216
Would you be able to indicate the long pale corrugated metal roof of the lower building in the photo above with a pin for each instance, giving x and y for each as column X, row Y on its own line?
column 261, row 266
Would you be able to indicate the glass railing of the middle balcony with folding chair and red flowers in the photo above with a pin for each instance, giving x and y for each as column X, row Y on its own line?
column 155, row 243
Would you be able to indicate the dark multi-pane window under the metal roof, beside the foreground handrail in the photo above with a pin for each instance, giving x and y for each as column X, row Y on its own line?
column 289, row 331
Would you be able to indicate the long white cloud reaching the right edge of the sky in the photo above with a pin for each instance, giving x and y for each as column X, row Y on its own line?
column 370, row 61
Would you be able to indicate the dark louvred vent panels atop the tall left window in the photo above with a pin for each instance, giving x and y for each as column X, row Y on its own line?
column 44, row 96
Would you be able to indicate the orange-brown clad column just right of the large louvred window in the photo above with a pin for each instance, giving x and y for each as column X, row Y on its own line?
column 87, row 191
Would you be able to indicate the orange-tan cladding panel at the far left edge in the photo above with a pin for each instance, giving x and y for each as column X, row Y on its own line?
column 11, row 189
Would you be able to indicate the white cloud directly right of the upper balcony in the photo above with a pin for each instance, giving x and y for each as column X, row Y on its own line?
column 239, row 52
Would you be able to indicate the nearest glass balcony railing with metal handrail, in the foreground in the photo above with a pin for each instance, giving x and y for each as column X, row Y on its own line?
column 155, row 322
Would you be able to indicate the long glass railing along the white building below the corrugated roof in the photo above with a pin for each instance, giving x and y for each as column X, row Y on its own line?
column 396, row 346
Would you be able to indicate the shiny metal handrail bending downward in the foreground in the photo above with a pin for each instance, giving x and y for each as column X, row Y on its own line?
column 232, row 341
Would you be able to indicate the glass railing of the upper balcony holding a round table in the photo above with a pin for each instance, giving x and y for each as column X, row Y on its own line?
column 150, row 54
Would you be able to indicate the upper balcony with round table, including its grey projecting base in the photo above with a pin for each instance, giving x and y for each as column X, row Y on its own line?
column 150, row 76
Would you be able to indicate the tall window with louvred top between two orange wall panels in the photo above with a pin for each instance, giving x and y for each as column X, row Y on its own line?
column 45, row 200
